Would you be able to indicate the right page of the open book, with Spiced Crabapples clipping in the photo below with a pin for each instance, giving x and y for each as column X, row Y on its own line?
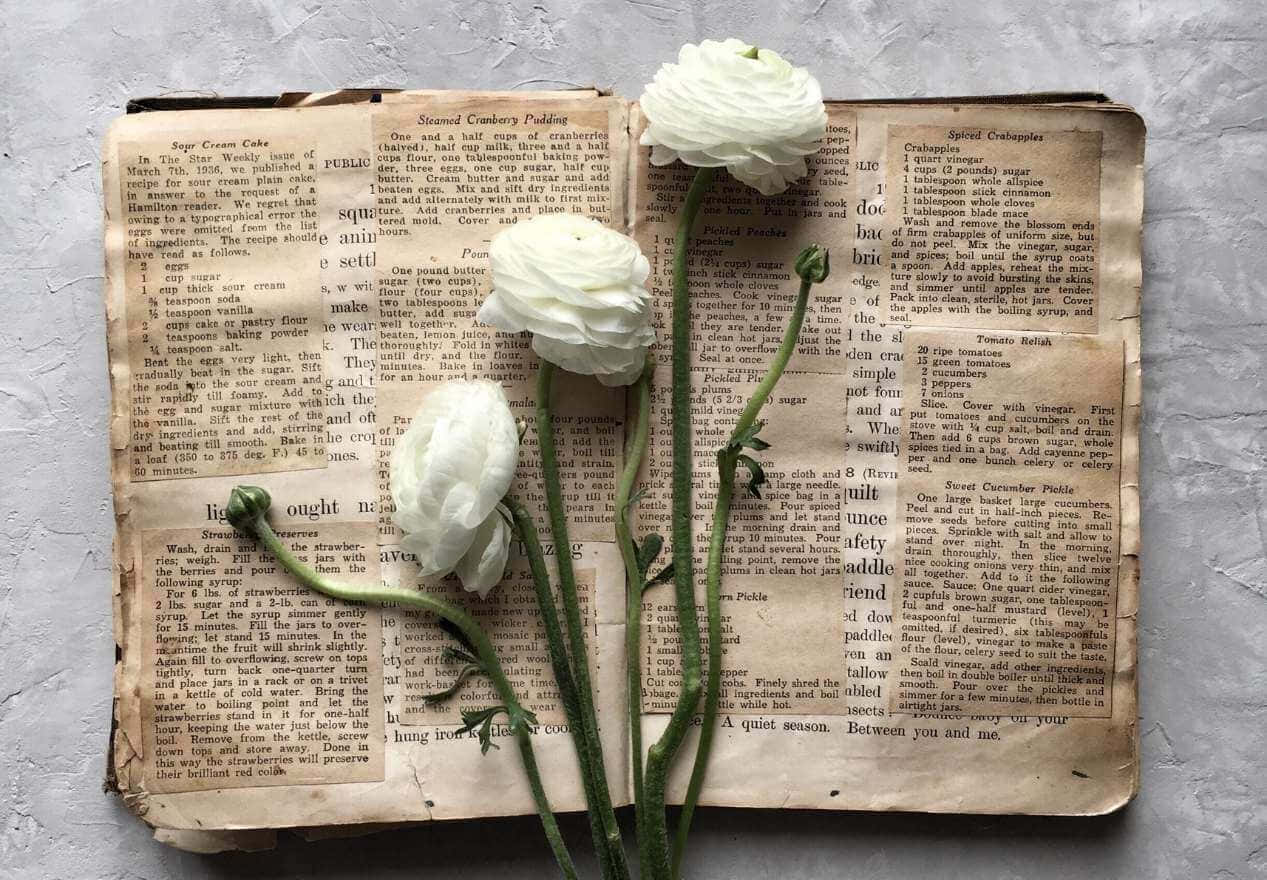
column 932, row 606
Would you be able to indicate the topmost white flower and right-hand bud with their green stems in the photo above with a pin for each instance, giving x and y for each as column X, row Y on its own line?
column 762, row 141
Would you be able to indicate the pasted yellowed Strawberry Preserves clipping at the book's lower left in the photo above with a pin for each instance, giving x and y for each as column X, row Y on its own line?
column 255, row 681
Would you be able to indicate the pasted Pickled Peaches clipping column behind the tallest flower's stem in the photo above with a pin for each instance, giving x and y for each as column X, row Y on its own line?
column 784, row 610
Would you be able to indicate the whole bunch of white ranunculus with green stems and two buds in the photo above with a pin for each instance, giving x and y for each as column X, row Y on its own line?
column 580, row 289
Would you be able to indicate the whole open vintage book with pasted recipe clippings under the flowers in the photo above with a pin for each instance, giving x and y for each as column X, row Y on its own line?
column 932, row 607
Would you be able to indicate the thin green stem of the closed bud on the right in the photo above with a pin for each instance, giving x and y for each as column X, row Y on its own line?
column 728, row 463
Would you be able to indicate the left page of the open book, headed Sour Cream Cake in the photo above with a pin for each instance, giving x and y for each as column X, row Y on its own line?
column 284, row 288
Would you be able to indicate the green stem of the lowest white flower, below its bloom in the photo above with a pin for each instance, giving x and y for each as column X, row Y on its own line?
column 528, row 532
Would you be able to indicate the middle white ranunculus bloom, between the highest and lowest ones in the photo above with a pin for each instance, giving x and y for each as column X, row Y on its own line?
column 578, row 288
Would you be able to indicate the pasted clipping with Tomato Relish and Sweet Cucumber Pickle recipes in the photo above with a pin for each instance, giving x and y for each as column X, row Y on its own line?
column 1008, row 522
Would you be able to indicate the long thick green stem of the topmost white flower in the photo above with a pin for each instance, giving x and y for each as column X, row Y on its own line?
column 662, row 754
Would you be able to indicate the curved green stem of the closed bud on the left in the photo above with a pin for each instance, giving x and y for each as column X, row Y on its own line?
column 471, row 630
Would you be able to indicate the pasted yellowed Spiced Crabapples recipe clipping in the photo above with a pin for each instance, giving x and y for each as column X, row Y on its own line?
column 991, row 227
